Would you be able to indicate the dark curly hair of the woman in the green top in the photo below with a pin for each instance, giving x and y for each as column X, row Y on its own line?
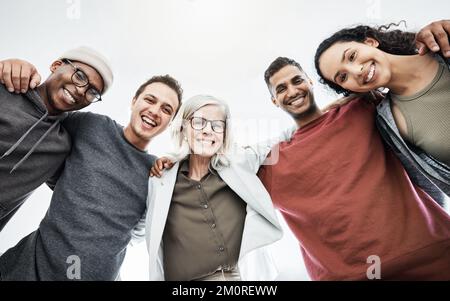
column 391, row 41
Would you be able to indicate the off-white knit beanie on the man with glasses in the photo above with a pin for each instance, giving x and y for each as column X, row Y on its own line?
column 94, row 59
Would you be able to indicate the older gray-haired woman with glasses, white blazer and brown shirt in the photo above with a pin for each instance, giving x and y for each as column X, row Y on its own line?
column 209, row 217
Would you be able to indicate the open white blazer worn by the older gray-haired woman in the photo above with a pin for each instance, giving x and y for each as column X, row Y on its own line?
column 261, row 227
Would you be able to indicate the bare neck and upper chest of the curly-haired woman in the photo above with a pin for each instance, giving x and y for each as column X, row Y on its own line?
column 405, row 78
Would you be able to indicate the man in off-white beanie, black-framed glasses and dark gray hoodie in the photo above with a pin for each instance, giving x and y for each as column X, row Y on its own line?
column 34, row 144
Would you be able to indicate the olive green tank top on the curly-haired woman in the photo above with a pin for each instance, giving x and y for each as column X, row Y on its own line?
column 427, row 115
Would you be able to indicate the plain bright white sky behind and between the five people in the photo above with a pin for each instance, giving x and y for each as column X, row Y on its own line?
column 218, row 47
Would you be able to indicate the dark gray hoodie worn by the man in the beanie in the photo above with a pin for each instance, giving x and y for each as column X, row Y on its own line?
column 33, row 147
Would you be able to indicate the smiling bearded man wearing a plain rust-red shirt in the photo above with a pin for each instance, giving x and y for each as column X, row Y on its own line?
column 345, row 196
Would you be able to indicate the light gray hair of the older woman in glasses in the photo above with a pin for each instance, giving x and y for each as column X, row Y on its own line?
column 186, row 111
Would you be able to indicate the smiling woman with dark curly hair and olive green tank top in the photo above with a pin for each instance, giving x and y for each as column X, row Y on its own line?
column 414, row 117
